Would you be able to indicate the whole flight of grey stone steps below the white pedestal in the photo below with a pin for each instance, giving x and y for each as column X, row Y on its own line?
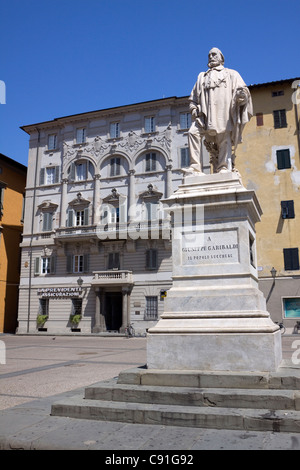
column 225, row 400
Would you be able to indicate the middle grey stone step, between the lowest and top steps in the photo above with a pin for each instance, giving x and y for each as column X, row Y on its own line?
column 189, row 396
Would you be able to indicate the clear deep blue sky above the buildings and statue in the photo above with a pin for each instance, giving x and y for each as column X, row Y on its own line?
column 62, row 57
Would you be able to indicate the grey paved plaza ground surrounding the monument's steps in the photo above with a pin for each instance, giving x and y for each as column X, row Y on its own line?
column 39, row 370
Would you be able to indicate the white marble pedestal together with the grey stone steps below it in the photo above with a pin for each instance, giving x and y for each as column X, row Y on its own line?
column 214, row 358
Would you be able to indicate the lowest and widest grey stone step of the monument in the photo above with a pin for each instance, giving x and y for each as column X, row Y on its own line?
column 184, row 416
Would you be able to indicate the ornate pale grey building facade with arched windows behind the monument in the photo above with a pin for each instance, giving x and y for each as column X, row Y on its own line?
column 96, row 249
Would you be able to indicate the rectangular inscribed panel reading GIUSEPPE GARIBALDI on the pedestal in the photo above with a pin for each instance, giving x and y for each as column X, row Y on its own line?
column 212, row 247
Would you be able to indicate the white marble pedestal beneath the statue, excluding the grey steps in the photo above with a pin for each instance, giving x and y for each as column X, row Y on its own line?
column 215, row 317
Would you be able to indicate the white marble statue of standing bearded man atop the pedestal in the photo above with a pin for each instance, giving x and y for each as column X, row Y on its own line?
column 221, row 105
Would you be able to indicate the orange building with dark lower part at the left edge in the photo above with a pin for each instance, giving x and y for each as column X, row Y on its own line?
column 12, row 188
